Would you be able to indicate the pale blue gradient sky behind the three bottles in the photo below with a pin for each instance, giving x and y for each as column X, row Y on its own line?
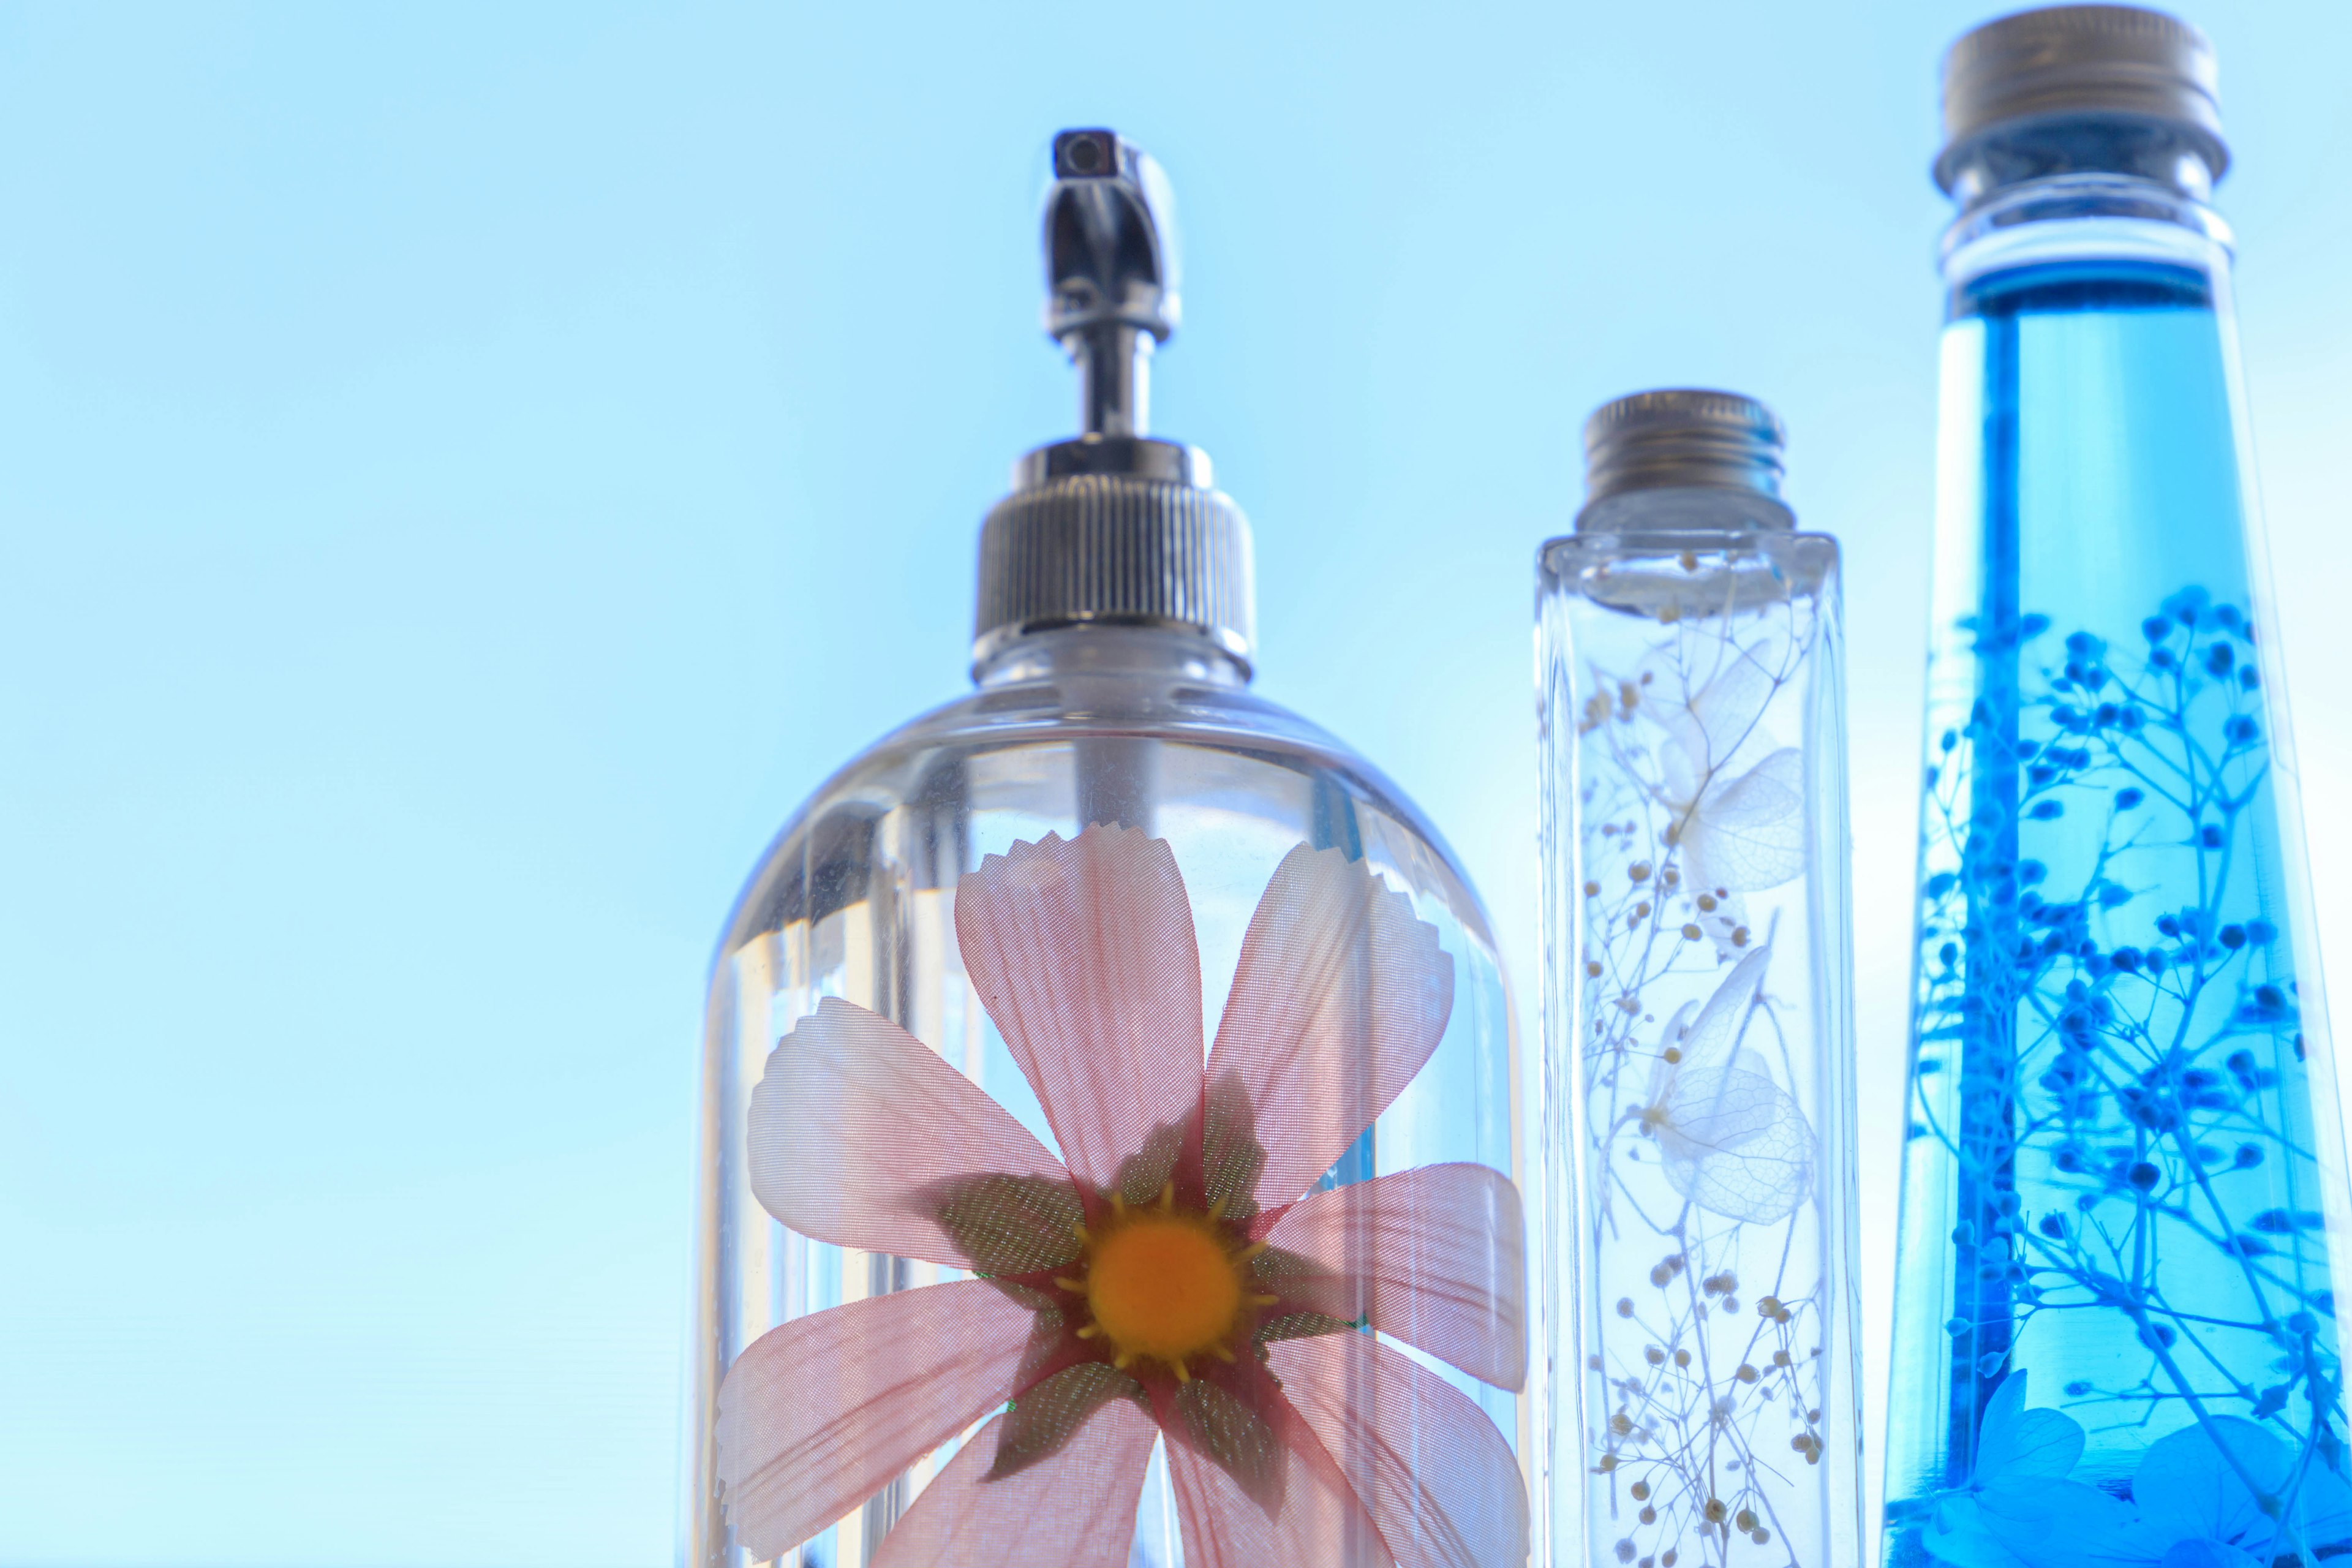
column 469, row 471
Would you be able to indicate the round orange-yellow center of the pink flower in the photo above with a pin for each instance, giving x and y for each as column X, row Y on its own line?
column 1168, row 1285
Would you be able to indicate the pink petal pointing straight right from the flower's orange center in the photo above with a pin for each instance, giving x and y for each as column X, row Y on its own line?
column 1436, row 1257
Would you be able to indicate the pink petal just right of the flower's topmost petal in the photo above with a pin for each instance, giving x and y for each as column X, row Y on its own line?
column 1337, row 1003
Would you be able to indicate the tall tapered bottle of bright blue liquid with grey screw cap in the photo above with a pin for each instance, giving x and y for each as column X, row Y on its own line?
column 2116, row 1318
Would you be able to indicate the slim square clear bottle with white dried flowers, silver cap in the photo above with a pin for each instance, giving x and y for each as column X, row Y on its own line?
column 1697, row 1113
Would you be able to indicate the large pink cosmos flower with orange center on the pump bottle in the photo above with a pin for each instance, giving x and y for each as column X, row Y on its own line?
column 1170, row 1280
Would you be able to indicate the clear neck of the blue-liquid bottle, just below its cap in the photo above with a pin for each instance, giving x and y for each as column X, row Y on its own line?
column 2087, row 217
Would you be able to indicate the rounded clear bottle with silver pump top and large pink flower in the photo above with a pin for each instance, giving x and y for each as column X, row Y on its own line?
column 1111, row 711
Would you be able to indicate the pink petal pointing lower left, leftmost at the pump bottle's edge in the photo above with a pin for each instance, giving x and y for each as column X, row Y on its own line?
column 829, row 1407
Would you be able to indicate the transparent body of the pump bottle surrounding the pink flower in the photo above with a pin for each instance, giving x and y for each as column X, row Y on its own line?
column 857, row 902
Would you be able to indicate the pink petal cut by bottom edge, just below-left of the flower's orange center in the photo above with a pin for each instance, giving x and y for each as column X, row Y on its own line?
column 1076, row 1510
